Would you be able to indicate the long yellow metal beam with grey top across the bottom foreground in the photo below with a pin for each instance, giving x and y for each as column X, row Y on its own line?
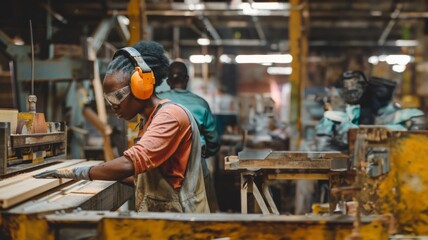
column 132, row 225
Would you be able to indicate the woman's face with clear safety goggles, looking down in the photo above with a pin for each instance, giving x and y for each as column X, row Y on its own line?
column 119, row 96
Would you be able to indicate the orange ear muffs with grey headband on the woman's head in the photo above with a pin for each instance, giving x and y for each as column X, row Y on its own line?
column 142, row 78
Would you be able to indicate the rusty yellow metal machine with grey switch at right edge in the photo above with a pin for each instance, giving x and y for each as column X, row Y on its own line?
column 393, row 178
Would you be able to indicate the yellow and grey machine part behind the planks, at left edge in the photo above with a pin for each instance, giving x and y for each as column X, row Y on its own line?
column 27, row 139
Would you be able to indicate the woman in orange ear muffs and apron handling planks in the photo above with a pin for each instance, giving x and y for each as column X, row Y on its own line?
column 166, row 160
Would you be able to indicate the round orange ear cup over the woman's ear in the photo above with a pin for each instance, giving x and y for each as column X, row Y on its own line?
column 142, row 84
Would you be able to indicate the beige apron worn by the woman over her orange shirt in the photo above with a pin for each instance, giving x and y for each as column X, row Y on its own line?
column 155, row 194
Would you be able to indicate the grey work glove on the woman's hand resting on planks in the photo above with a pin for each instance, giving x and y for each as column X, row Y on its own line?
column 78, row 173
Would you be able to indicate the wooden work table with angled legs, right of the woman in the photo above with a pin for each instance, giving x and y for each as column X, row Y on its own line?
column 284, row 165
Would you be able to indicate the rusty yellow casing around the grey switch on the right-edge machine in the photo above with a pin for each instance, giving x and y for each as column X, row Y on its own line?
column 403, row 190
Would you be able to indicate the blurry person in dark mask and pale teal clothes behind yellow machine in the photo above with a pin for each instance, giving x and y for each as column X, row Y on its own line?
column 368, row 102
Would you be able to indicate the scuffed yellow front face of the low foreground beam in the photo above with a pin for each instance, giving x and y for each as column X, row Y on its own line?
column 156, row 229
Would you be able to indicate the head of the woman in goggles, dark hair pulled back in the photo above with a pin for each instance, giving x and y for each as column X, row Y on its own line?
column 119, row 71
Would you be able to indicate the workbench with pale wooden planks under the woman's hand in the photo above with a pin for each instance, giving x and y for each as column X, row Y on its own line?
column 25, row 200
